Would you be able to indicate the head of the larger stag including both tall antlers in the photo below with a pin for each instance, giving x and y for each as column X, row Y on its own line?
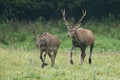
column 72, row 28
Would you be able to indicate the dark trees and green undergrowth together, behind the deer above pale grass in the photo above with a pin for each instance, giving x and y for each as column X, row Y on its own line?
column 19, row 18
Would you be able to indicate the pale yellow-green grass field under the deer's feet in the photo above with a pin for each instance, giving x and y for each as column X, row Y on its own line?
column 21, row 64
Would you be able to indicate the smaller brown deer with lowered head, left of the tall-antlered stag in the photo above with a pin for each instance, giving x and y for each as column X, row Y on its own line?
column 47, row 43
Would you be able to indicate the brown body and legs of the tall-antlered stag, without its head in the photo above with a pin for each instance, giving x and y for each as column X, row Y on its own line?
column 82, row 38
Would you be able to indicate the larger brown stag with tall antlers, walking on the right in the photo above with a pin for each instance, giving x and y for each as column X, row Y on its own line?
column 80, row 37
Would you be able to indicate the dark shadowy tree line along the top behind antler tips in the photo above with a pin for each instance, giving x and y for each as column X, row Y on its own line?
column 50, row 9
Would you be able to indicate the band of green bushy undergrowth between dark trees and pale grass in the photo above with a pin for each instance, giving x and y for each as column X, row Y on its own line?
column 20, row 34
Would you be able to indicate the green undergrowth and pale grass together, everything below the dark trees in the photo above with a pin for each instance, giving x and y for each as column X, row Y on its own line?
column 19, row 58
